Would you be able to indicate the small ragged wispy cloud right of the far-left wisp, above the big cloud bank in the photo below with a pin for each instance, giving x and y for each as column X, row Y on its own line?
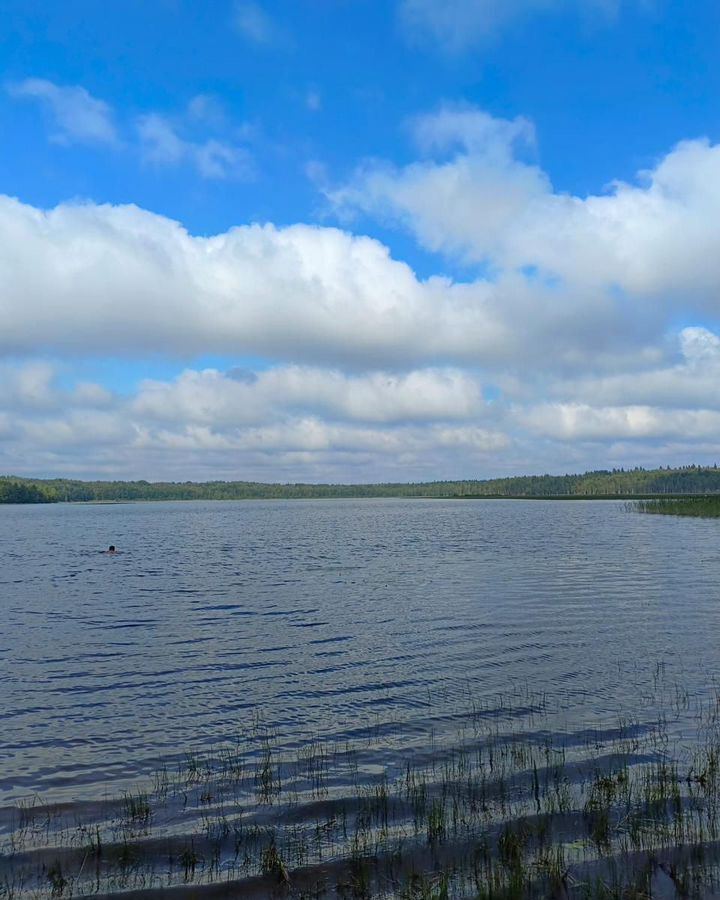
column 162, row 144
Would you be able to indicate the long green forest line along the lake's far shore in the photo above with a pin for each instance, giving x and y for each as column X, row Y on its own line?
column 602, row 483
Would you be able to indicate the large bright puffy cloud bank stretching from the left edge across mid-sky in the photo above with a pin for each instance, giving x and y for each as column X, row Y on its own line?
column 87, row 279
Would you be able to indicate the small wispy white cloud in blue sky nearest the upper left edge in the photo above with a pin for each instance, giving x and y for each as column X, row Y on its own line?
column 77, row 115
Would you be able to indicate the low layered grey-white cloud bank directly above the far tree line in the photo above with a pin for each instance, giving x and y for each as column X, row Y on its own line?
column 308, row 423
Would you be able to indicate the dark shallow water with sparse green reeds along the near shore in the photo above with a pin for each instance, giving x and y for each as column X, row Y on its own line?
column 512, row 807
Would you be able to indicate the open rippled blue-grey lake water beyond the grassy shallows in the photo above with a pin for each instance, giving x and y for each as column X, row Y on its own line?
column 332, row 620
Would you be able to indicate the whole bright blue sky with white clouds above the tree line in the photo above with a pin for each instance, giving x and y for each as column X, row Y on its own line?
column 358, row 240
